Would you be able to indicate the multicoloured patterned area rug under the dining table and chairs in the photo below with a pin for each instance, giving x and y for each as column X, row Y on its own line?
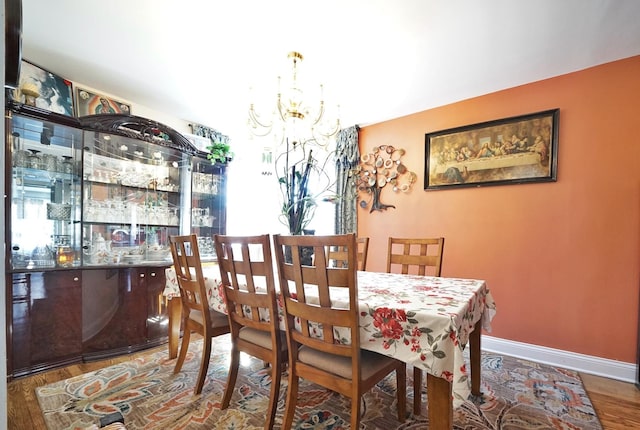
column 517, row 394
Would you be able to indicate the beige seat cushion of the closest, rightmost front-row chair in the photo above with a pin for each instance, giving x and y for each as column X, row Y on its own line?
column 370, row 362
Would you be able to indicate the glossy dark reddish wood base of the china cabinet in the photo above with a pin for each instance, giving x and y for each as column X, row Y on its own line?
column 63, row 317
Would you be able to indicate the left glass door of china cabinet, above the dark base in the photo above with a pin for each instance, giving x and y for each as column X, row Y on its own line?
column 45, row 193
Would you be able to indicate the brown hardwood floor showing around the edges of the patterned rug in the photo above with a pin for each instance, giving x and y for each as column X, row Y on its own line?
column 617, row 403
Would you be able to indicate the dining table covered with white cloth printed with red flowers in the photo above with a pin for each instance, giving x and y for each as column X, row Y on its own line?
column 425, row 321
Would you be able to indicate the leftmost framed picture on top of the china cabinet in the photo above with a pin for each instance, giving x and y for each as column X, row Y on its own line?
column 41, row 88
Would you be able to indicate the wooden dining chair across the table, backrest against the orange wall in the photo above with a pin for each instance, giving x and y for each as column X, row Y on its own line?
column 415, row 256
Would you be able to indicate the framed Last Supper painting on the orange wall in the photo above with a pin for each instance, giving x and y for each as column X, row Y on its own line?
column 514, row 150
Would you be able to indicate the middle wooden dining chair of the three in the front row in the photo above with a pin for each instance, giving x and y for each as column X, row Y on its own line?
column 246, row 270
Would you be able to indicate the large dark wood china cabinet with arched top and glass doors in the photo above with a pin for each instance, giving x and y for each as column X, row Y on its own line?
column 91, row 203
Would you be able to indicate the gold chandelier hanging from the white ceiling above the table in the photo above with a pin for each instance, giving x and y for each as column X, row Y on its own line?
column 295, row 121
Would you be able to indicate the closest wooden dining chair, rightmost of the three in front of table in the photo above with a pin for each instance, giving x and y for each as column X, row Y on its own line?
column 316, row 352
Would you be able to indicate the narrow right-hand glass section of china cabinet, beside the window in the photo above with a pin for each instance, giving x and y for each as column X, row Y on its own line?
column 208, row 203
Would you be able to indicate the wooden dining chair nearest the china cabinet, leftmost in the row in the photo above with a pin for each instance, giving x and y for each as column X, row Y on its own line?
column 196, row 314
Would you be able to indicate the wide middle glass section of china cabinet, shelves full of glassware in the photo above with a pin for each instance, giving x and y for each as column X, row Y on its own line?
column 131, row 199
